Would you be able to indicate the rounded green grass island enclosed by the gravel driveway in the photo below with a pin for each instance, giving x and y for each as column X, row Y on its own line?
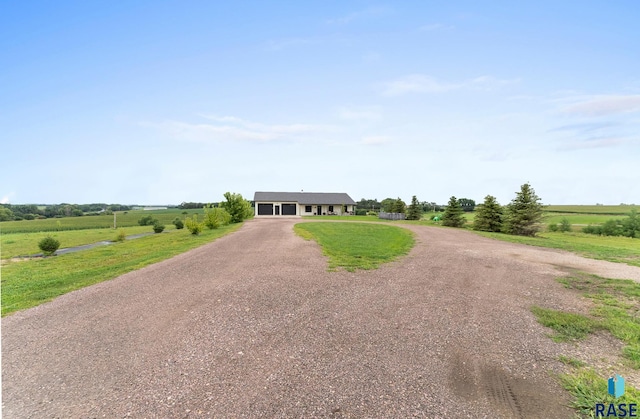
column 357, row 245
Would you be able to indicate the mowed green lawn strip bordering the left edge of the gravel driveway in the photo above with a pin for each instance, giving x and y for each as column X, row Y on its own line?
column 31, row 283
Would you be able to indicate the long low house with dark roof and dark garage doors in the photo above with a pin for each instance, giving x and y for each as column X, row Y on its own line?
column 302, row 203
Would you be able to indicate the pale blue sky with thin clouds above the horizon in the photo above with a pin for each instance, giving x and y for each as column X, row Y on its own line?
column 161, row 102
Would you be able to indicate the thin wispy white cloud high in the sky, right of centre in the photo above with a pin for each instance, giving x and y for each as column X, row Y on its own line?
column 420, row 83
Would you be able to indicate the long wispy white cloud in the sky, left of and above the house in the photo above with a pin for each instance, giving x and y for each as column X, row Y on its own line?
column 230, row 128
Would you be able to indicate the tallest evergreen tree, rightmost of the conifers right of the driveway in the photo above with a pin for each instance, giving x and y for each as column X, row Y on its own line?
column 524, row 213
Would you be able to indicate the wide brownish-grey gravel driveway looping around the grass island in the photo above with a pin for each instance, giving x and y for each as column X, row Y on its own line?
column 253, row 325
